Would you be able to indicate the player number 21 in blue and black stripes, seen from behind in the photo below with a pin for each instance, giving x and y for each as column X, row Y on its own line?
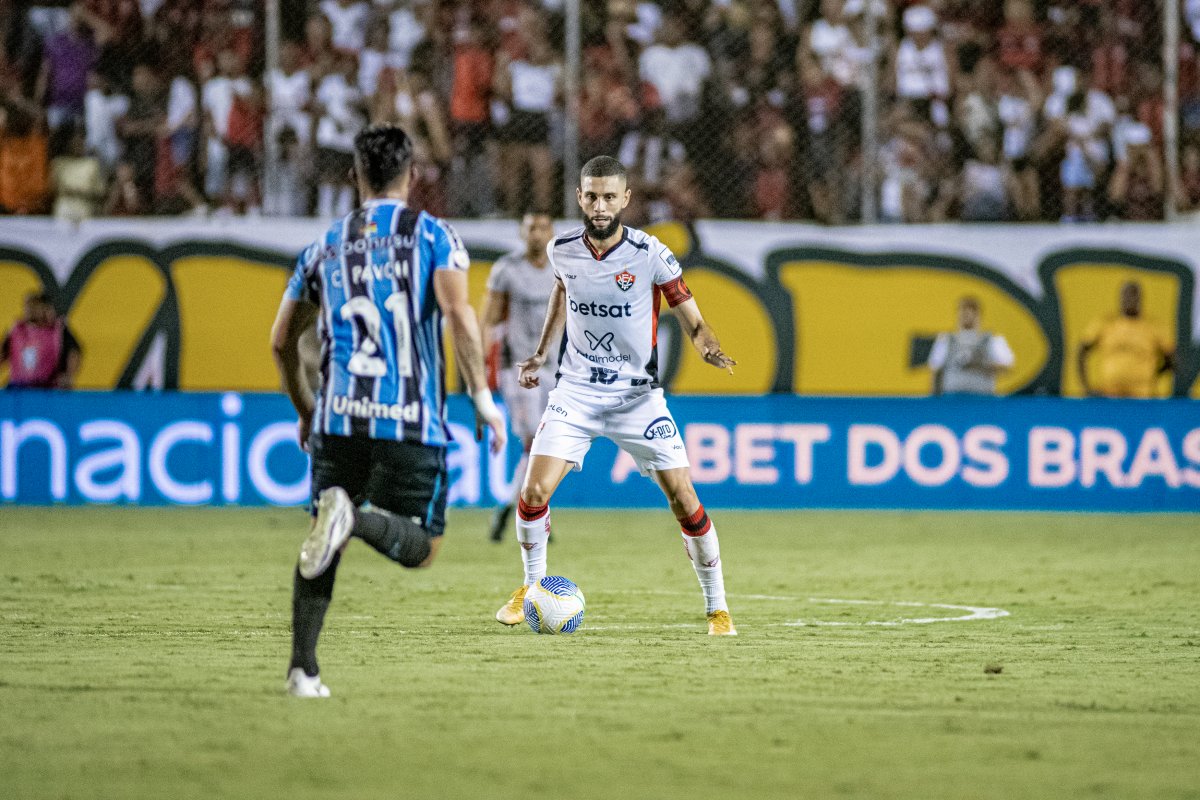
column 382, row 279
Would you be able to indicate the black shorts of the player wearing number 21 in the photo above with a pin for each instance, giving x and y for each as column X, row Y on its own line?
column 404, row 478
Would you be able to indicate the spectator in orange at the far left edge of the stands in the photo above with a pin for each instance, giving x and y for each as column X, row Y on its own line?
column 25, row 158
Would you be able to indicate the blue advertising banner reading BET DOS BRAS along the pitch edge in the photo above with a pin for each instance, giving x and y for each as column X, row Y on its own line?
column 772, row 453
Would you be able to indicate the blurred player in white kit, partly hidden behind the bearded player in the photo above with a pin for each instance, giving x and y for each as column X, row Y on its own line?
column 518, row 292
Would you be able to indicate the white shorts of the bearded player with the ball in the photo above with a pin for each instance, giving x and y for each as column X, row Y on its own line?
column 640, row 424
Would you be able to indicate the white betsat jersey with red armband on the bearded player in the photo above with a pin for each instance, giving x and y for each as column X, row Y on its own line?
column 610, row 342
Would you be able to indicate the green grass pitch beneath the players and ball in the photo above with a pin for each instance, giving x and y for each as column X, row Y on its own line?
column 145, row 654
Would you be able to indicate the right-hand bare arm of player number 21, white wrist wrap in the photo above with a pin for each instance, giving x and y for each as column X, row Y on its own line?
column 451, row 290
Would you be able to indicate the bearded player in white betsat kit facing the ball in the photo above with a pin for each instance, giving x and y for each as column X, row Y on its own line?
column 608, row 288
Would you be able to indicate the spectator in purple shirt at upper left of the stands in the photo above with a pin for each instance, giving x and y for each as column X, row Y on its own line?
column 69, row 57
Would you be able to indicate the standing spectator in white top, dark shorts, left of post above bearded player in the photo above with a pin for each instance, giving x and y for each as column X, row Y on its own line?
column 532, row 87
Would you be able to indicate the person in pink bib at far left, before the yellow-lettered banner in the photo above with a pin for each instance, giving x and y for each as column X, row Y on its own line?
column 40, row 350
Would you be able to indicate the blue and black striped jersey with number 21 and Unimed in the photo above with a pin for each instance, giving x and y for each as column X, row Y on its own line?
column 382, row 371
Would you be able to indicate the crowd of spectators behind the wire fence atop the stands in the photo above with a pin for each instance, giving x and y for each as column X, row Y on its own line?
column 1016, row 111
